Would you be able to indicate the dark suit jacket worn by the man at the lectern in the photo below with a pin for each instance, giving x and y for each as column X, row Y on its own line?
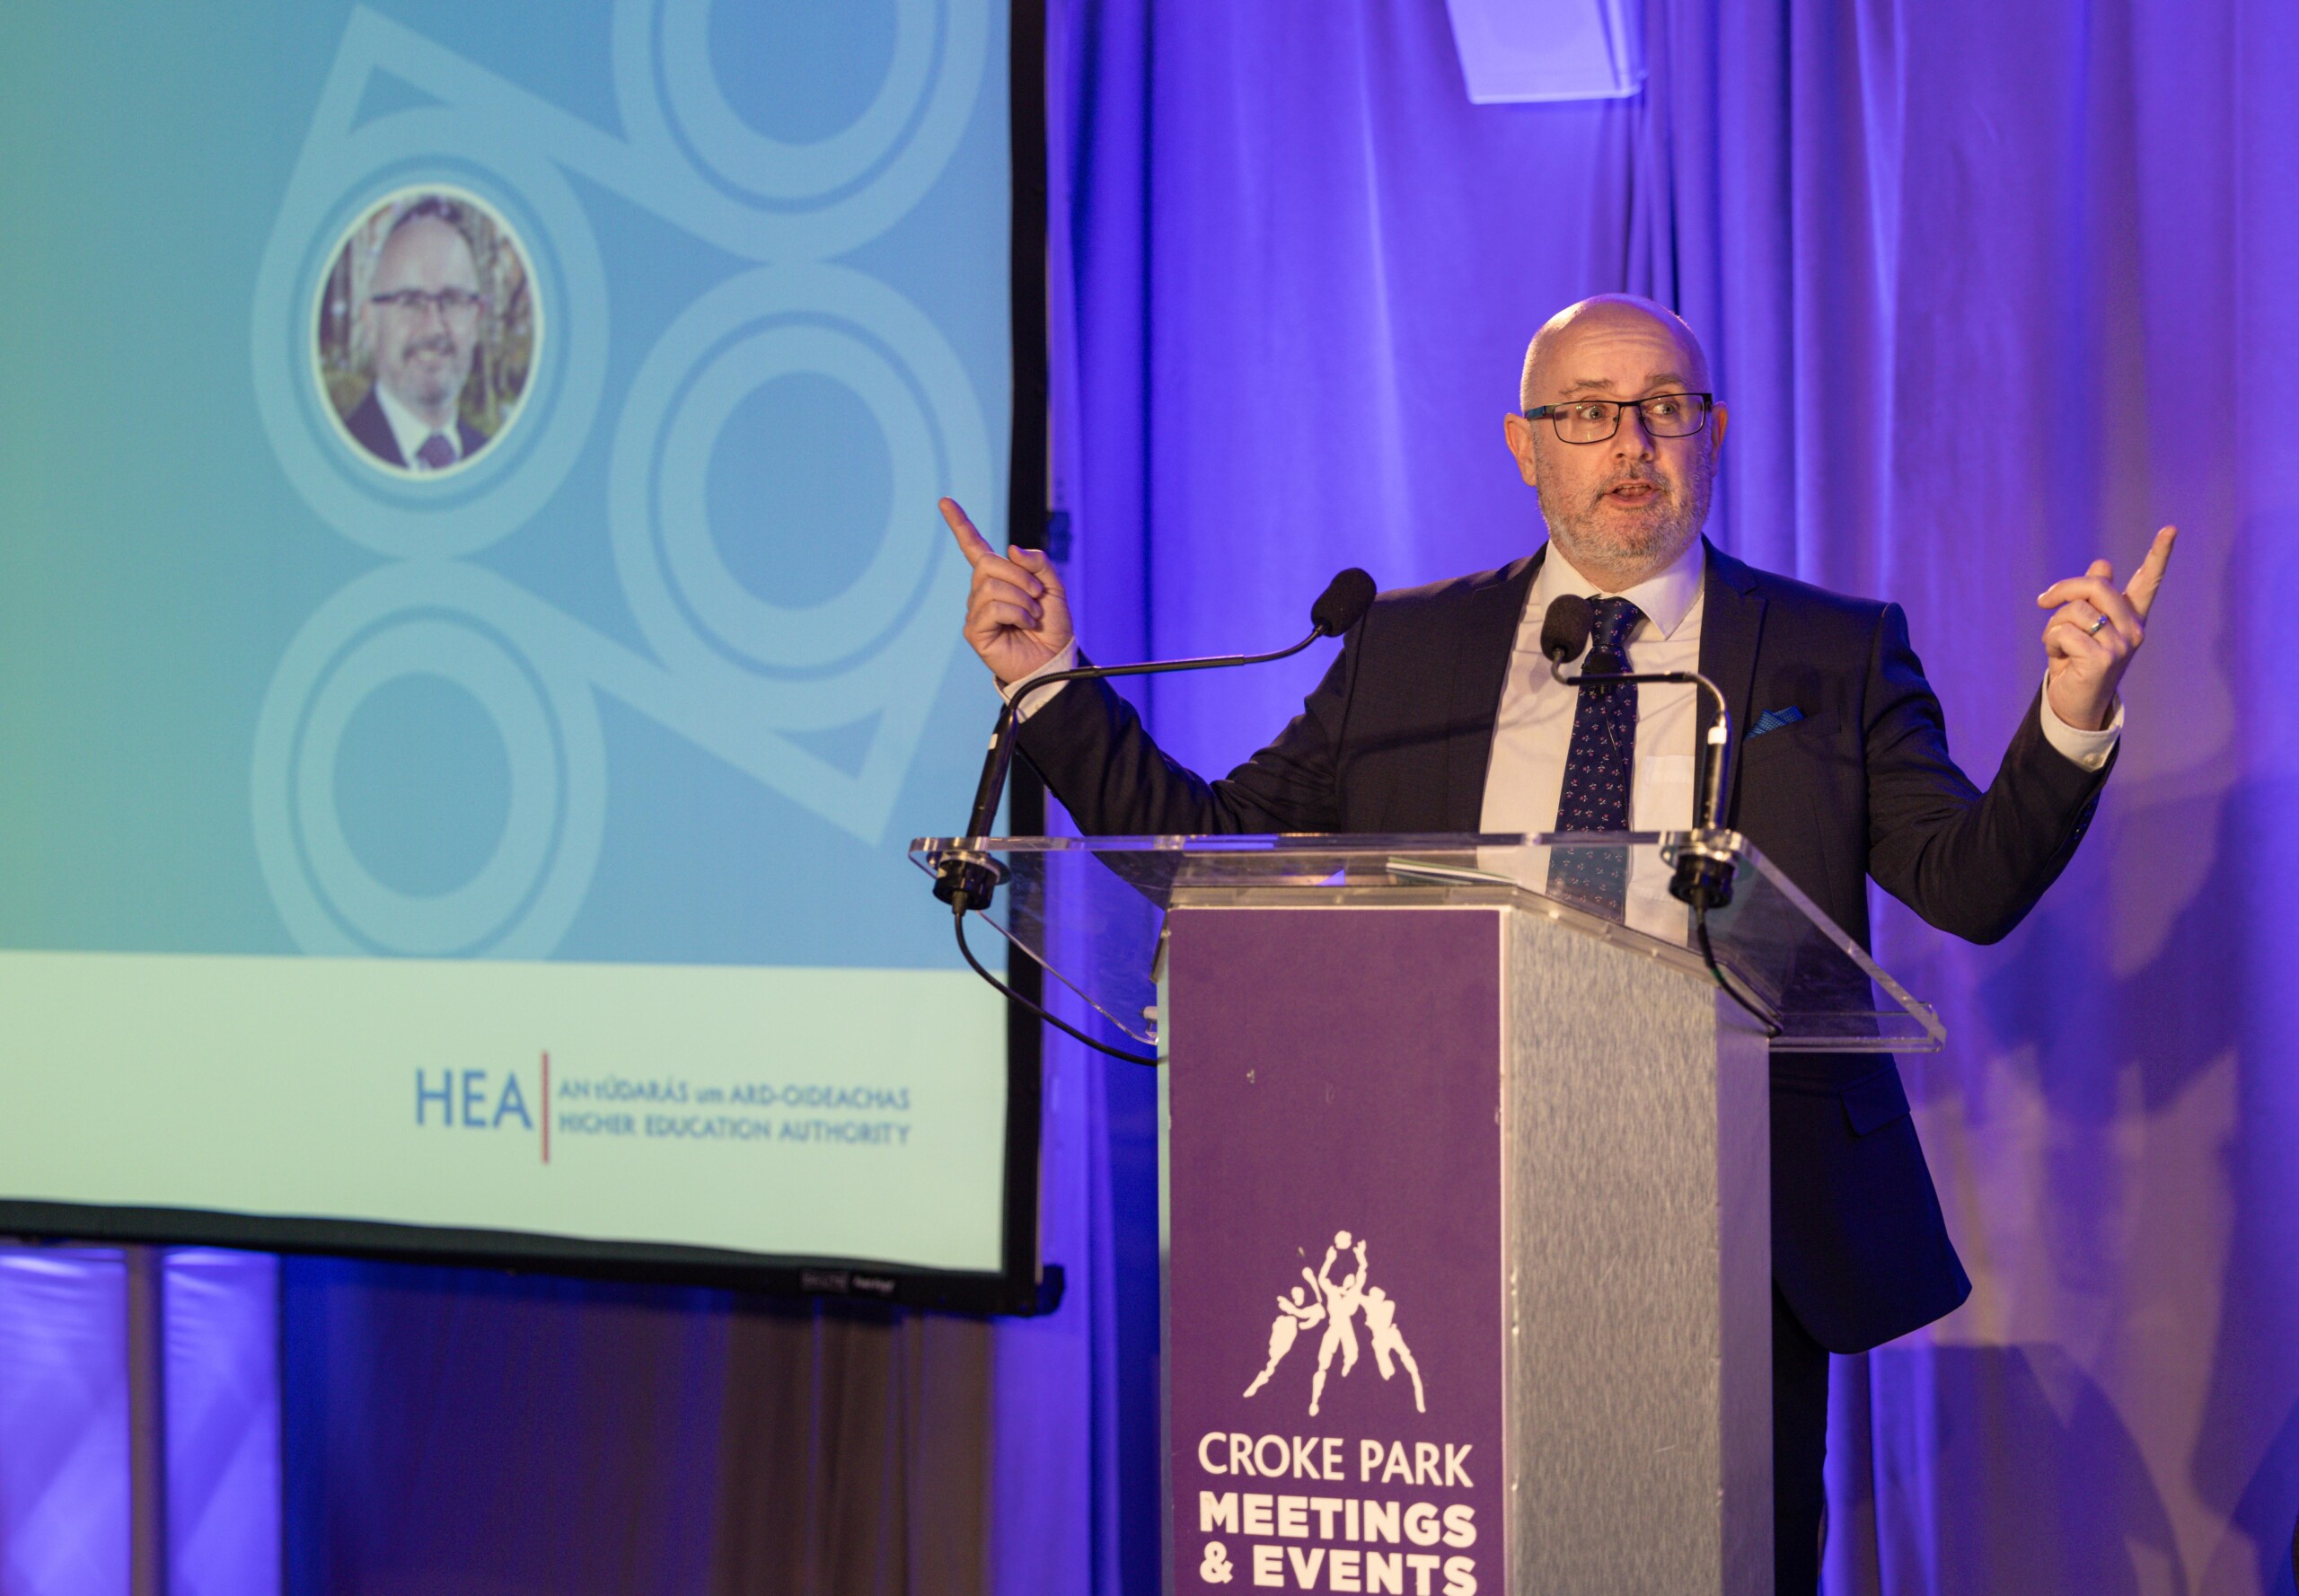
column 1399, row 735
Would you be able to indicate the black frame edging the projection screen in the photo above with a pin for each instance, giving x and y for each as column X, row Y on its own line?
column 1024, row 1284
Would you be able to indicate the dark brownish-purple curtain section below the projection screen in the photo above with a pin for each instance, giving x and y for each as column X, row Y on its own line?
column 477, row 1434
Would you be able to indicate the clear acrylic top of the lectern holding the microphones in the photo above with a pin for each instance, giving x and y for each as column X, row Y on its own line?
column 1091, row 910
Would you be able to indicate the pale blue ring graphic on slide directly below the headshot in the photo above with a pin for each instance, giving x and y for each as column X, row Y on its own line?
column 518, row 861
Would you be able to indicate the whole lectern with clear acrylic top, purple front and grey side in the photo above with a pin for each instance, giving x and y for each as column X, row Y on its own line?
column 1466, row 1192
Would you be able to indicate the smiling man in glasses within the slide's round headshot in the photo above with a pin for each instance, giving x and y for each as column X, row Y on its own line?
column 422, row 321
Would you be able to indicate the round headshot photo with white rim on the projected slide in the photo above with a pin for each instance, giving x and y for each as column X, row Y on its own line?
column 426, row 332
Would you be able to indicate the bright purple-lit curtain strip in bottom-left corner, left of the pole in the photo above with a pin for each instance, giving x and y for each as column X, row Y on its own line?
column 63, row 1422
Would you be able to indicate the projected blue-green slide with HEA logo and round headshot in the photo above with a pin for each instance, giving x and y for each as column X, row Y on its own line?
column 475, row 629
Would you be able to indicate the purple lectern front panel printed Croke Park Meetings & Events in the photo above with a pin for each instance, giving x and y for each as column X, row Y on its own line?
column 1335, row 1319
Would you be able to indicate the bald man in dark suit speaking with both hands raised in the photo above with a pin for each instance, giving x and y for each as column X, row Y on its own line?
column 1440, row 719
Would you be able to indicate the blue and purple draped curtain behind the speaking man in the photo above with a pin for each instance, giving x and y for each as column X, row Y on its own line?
column 1992, row 289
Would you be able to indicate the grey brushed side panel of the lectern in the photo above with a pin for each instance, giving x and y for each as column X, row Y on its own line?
column 1636, row 1275
